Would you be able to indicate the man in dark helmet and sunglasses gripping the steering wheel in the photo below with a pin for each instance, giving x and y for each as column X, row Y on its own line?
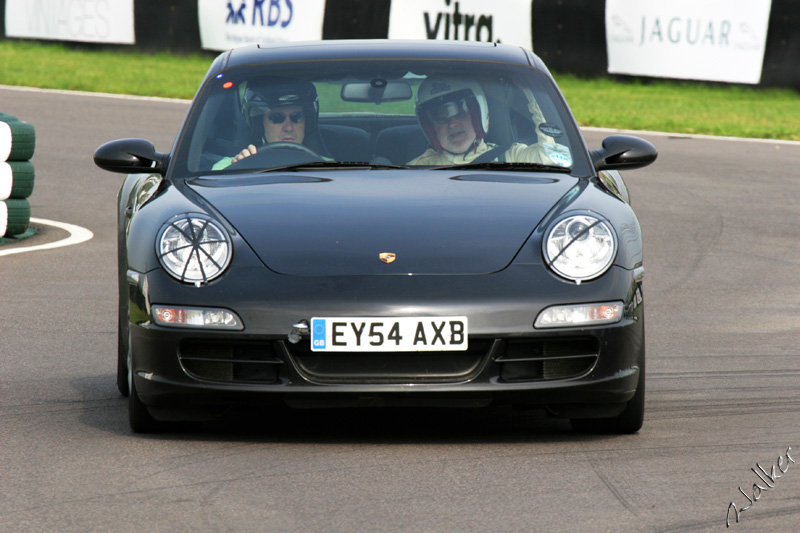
column 278, row 113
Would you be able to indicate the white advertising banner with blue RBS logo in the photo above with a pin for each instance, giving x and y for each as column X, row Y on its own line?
column 233, row 23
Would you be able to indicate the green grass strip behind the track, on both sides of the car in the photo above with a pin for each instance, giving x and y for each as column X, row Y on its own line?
column 671, row 106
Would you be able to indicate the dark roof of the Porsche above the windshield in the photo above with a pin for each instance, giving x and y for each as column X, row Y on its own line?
column 356, row 49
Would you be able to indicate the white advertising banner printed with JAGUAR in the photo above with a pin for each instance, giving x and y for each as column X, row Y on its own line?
column 712, row 40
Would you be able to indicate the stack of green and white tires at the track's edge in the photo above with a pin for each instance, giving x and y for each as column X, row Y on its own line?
column 17, row 143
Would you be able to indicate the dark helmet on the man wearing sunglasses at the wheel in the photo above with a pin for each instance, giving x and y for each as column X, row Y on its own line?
column 259, row 100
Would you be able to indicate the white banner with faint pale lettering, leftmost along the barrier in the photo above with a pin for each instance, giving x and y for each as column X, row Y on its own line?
column 97, row 21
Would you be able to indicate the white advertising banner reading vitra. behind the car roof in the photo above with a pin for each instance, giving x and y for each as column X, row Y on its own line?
column 507, row 22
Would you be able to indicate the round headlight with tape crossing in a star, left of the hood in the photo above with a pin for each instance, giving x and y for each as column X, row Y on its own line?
column 193, row 248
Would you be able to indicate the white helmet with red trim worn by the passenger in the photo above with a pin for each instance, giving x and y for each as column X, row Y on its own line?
column 439, row 99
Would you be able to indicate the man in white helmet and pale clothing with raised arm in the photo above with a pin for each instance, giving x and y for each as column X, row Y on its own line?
column 454, row 115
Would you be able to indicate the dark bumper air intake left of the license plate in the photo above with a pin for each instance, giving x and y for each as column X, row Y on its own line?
column 230, row 362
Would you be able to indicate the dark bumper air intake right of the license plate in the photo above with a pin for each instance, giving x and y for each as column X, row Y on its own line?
column 536, row 360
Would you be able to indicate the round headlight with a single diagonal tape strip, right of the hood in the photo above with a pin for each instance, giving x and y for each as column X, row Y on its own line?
column 580, row 247
